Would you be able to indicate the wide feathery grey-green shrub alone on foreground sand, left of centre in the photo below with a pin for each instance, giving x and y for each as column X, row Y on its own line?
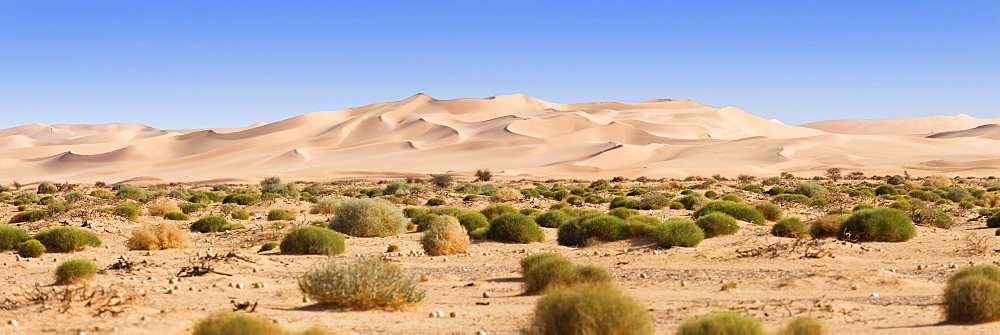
column 369, row 282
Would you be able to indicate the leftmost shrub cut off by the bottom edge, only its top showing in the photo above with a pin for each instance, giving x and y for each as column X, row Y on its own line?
column 227, row 323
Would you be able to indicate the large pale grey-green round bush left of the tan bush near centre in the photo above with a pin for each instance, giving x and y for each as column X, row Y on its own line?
column 369, row 218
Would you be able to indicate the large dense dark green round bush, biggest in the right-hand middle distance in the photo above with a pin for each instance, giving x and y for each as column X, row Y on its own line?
column 877, row 225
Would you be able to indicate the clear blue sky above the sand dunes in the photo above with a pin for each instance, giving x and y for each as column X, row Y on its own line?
column 193, row 64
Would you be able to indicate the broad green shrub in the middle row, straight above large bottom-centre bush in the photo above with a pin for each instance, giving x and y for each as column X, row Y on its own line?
column 589, row 230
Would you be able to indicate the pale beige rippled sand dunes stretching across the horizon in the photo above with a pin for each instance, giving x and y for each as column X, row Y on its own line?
column 513, row 135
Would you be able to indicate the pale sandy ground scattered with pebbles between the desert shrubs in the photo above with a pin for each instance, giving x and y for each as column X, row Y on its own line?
column 890, row 288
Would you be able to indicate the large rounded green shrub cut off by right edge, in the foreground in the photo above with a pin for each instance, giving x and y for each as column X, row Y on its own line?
column 972, row 298
